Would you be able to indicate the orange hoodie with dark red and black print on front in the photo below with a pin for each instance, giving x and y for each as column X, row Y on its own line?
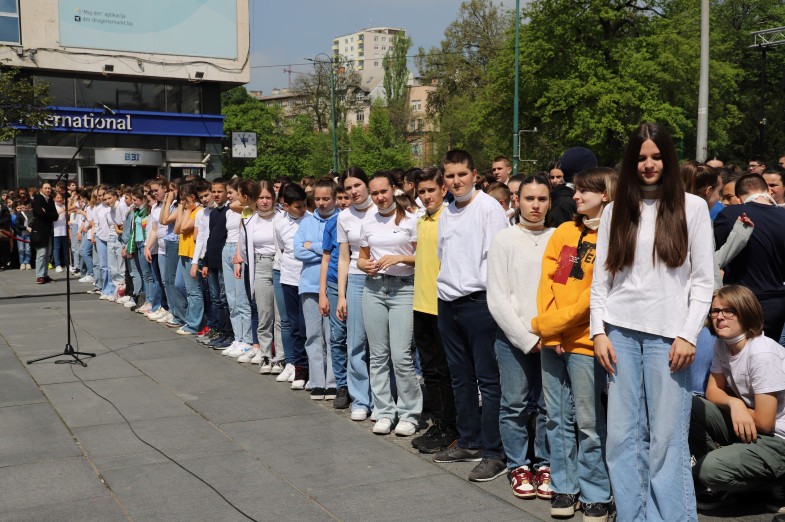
column 565, row 288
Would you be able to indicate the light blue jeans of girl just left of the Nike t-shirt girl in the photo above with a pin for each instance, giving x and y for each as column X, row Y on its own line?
column 357, row 376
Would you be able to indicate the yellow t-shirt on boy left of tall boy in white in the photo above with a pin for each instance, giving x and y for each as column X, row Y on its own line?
column 426, row 264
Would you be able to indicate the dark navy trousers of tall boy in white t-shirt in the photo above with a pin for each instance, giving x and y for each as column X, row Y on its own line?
column 469, row 334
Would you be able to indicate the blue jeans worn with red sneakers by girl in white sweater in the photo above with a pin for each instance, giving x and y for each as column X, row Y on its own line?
column 521, row 382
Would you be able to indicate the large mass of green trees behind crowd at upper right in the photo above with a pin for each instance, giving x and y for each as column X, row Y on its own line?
column 591, row 71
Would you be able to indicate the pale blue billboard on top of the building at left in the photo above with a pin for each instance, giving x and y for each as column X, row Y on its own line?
column 181, row 27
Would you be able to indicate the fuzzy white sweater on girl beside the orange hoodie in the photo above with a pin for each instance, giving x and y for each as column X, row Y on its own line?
column 514, row 268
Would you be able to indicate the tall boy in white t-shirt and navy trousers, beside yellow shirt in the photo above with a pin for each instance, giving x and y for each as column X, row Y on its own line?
column 466, row 228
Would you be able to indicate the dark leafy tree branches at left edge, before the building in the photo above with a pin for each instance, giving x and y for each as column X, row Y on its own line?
column 22, row 102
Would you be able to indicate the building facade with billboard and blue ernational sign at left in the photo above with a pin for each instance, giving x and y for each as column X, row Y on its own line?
column 139, row 94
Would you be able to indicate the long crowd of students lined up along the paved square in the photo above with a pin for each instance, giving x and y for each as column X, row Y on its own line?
column 537, row 311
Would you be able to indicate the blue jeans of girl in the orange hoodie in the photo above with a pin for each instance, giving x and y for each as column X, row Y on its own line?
column 574, row 383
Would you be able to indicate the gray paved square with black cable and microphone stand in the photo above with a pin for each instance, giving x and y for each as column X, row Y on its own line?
column 68, row 454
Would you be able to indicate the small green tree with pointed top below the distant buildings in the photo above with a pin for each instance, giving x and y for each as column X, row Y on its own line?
column 380, row 147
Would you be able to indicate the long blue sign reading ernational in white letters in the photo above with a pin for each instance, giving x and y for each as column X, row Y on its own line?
column 72, row 119
